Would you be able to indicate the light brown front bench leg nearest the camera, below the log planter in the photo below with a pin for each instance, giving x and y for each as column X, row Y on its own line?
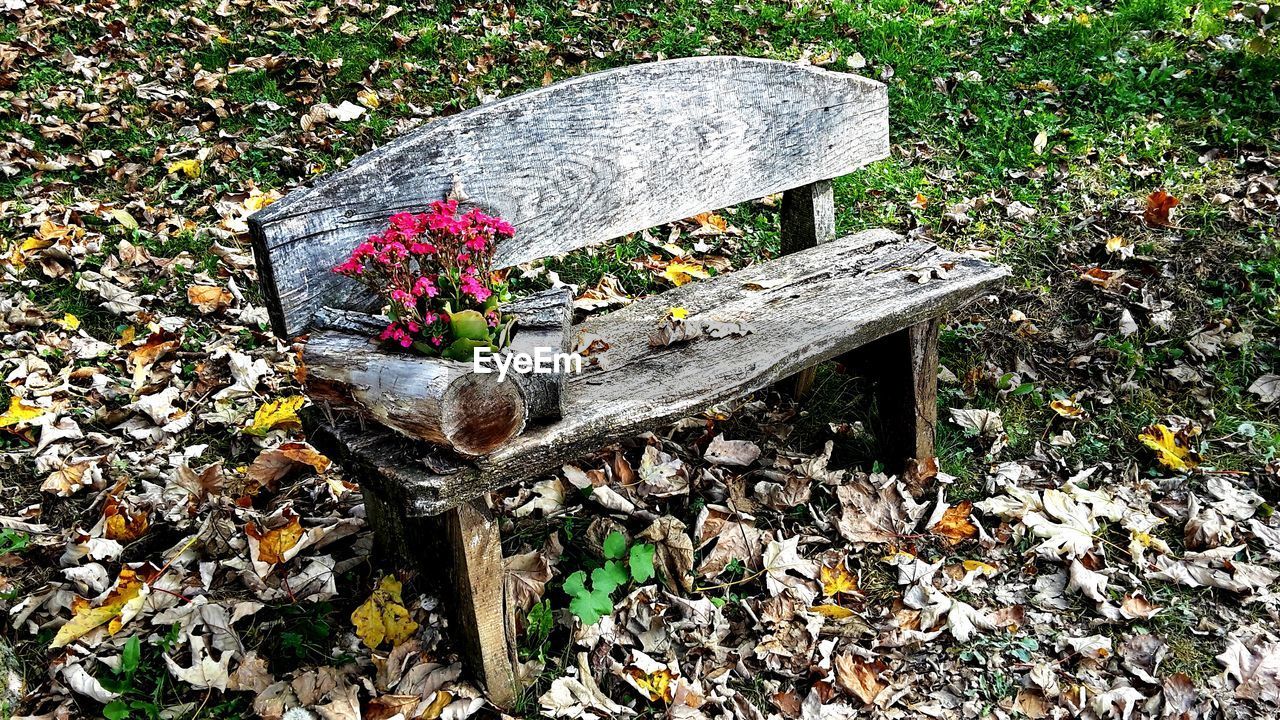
column 478, row 608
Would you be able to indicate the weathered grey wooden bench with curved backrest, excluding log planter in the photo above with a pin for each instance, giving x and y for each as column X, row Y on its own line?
column 593, row 160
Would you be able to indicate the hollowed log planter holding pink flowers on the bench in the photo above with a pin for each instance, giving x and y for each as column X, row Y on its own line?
column 441, row 402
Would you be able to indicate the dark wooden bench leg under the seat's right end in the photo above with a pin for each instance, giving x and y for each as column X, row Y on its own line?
column 906, row 368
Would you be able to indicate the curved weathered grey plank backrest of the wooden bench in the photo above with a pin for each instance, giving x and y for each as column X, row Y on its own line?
column 580, row 162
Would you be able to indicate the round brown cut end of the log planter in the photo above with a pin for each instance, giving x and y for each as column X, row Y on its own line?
column 482, row 432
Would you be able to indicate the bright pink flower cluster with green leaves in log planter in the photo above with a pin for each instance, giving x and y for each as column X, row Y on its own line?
column 436, row 274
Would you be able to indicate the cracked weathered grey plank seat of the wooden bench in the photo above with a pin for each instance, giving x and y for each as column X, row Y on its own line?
column 806, row 308
